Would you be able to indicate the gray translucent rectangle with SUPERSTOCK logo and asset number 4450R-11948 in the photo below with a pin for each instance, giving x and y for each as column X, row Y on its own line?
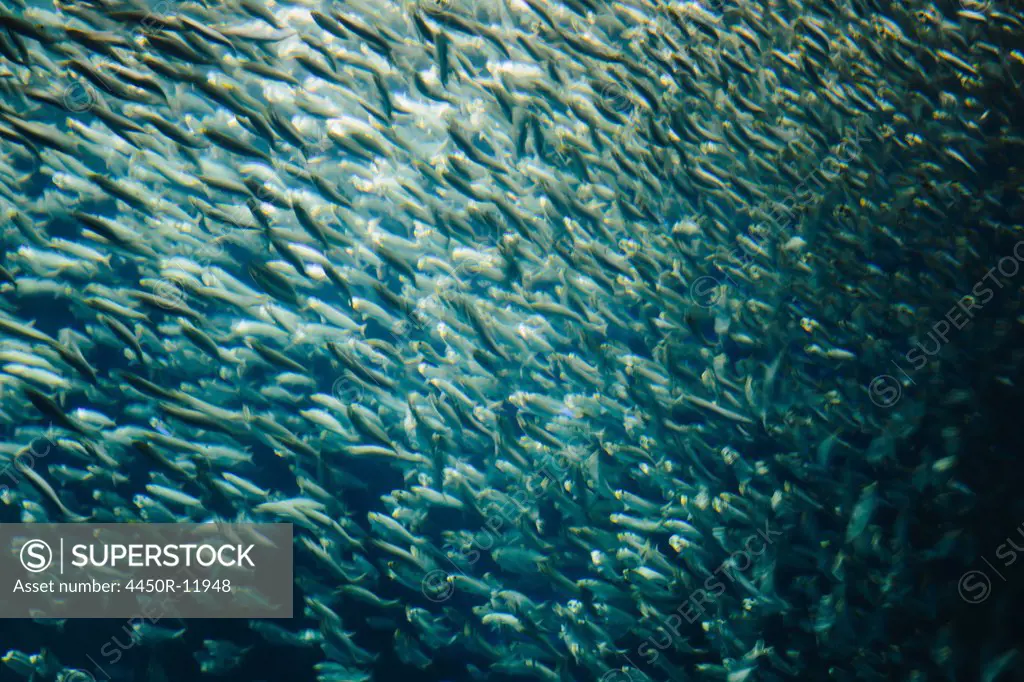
column 64, row 571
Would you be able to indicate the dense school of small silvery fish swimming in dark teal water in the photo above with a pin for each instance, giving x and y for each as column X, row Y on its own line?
column 588, row 302
